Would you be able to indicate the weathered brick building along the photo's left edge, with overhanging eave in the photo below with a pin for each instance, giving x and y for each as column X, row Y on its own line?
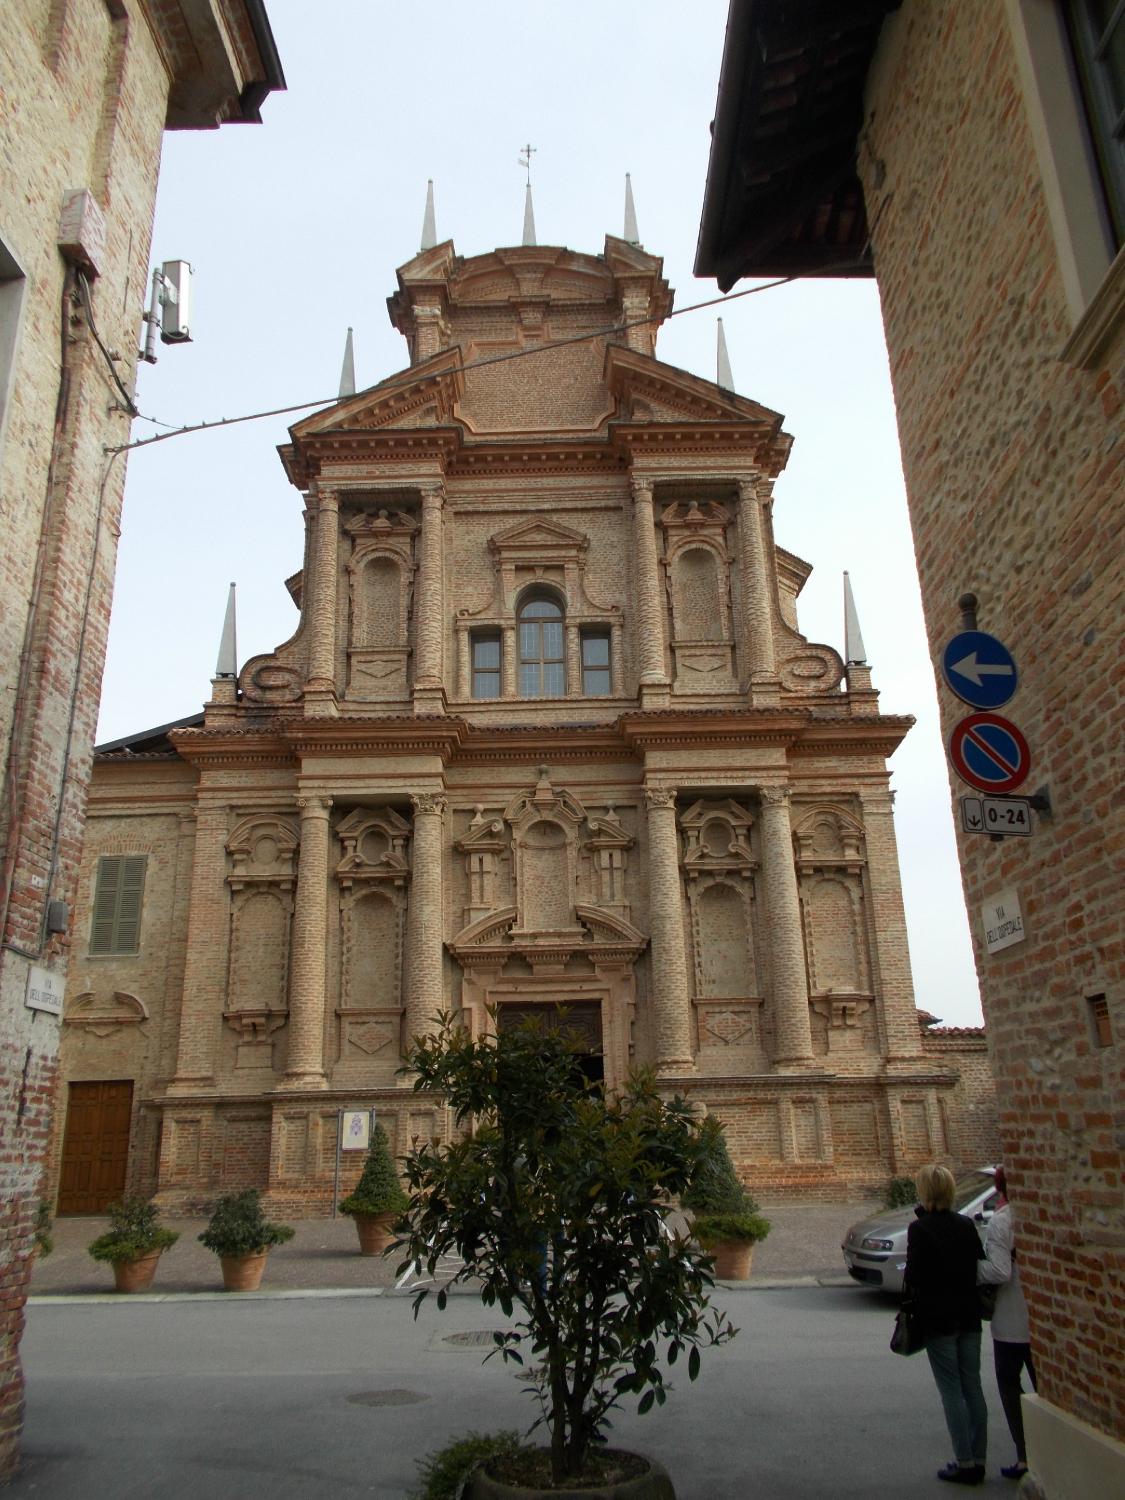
column 88, row 89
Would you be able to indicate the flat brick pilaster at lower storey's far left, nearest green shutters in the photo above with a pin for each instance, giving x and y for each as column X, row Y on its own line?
column 205, row 973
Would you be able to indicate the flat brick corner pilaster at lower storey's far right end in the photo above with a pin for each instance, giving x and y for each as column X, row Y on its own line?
column 887, row 928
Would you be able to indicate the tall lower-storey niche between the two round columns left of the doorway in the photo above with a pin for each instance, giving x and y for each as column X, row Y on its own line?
column 373, row 878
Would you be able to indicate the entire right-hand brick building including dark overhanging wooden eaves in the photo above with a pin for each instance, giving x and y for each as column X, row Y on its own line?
column 970, row 152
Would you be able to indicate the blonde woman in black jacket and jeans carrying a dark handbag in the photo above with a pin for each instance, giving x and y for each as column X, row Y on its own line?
column 943, row 1250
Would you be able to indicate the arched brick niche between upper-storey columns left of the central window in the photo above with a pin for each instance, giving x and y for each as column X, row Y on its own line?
column 380, row 601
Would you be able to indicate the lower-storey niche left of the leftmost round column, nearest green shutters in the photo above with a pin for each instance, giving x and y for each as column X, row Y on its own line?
column 263, row 851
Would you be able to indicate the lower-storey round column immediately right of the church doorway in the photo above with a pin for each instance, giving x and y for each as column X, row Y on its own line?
column 671, row 1000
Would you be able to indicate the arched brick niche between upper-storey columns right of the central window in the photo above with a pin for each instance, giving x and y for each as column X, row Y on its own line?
column 698, row 568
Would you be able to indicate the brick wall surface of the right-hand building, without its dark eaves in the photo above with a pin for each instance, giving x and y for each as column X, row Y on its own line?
column 1015, row 466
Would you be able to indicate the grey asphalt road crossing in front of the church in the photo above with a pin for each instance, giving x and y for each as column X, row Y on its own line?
column 338, row 1396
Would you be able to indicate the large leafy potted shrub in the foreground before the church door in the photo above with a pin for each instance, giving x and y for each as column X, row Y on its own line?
column 554, row 1204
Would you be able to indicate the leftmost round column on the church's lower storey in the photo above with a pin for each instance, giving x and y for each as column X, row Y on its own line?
column 305, row 1067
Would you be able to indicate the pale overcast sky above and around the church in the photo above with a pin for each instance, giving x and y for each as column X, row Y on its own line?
column 295, row 230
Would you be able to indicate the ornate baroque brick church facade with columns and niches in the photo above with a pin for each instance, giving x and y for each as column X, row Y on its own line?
column 547, row 736
